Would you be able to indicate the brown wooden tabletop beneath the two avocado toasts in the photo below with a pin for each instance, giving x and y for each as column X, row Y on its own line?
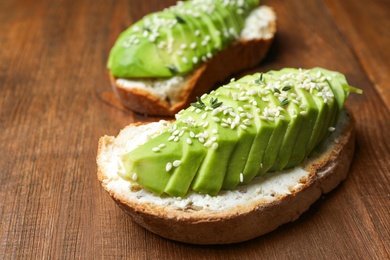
column 56, row 101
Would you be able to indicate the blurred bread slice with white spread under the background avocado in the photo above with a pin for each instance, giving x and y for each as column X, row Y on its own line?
column 165, row 97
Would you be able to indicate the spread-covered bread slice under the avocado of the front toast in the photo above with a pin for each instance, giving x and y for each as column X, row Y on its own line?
column 231, row 216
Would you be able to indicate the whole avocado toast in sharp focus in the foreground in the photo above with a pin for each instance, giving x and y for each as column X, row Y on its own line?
column 239, row 162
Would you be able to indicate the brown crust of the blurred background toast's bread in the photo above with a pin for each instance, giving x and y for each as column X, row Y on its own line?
column 240, row 55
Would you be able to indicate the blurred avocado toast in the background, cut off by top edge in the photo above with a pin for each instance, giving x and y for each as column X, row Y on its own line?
column 162, row 62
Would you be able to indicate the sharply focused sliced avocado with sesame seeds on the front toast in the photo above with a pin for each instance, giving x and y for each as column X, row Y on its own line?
column 260, row 123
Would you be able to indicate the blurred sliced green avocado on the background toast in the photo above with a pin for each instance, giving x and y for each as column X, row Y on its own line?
column 178, row 39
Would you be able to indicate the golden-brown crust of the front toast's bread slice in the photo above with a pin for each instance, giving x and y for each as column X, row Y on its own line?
column 248, row 221
